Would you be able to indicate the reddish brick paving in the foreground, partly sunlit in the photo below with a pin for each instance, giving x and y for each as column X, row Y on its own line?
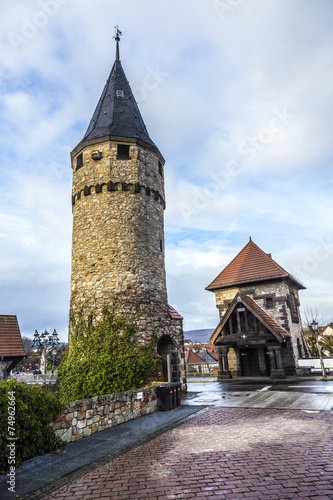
column 226, row 453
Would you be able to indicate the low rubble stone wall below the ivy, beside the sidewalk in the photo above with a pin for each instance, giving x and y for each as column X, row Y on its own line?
column 82, row 418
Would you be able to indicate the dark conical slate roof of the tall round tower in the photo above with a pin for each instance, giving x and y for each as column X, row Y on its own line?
column 117, row 113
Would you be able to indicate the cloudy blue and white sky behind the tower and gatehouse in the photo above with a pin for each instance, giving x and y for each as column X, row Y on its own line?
column 237, row 94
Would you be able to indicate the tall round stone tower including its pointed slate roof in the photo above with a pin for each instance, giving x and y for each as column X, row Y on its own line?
column 118, row 221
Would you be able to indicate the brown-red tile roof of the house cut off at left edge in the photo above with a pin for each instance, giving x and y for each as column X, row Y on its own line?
column 10, row 337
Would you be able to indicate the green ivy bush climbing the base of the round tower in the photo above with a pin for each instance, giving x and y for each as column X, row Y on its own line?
column 104, row 358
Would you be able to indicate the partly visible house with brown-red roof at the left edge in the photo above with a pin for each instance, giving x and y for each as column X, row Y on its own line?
column 11, row 346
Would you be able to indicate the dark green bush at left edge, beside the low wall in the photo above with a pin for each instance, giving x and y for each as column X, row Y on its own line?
column 25, row 413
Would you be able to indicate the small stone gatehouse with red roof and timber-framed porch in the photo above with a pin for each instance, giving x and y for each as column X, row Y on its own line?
column 260, row 330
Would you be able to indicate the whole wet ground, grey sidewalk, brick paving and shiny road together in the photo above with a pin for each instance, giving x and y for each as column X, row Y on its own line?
column 259, row 439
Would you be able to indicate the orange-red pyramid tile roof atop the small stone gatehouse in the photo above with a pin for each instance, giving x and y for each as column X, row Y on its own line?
column 250, row 265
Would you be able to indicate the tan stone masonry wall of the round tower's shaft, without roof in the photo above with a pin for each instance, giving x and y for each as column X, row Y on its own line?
column 118, row 234
